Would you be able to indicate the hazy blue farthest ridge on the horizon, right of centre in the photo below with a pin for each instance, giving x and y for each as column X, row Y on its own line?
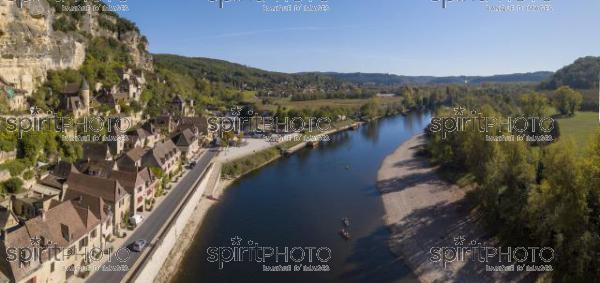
column 390, row 79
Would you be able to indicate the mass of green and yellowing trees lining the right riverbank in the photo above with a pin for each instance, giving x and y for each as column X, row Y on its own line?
column 531, row 193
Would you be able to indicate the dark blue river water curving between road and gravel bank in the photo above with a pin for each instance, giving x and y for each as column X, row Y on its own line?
column 299, row 201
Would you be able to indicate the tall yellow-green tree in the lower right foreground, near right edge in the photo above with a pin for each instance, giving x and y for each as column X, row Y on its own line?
column 560, row 215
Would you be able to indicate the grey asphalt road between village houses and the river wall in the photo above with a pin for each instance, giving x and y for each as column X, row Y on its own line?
column 113, row 271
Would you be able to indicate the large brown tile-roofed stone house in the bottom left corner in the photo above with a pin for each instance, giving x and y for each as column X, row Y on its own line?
column 61, row 241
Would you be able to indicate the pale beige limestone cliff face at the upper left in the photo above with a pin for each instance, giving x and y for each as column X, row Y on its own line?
column 29, row 47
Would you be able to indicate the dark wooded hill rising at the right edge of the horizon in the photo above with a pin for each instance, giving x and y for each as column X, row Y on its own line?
column 582, row 74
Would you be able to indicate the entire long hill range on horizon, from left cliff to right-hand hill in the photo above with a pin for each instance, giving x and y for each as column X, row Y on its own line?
column 243, row 76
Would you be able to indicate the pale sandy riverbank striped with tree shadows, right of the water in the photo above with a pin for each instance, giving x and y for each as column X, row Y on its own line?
column 423, row 211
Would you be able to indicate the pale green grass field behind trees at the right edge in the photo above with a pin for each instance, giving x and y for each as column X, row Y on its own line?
column 580, row 128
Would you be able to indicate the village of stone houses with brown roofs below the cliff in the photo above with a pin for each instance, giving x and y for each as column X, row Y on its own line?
column 76, row 210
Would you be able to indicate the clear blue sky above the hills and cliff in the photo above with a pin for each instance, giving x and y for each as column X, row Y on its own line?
column 406, row 37
